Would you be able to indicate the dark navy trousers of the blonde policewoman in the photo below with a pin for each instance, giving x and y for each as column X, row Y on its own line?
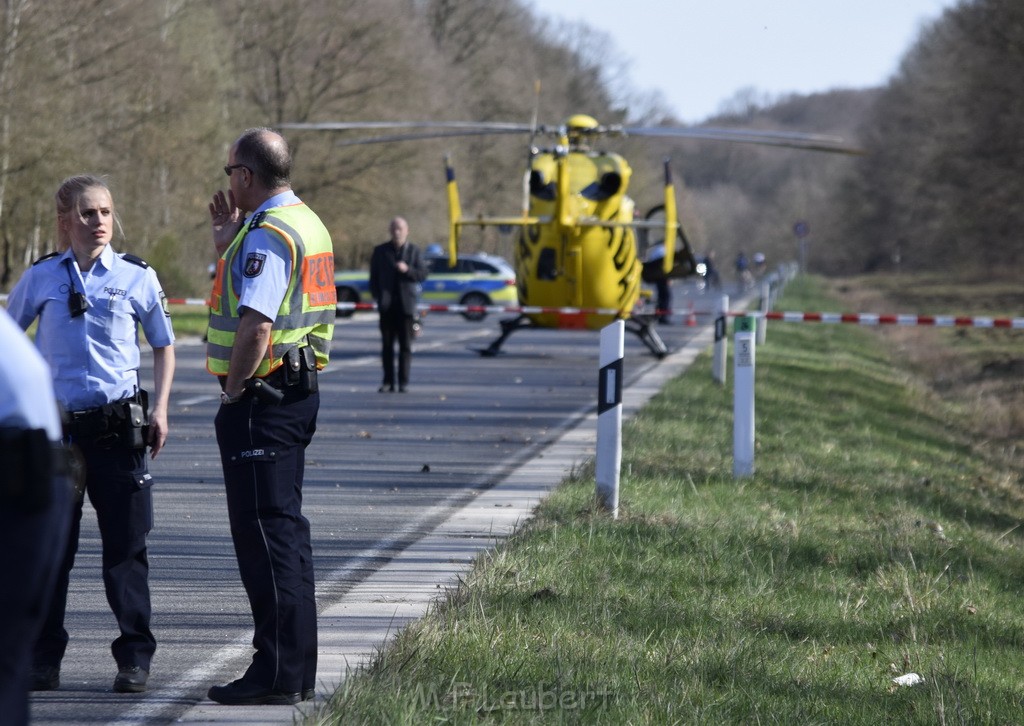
column 119, row 486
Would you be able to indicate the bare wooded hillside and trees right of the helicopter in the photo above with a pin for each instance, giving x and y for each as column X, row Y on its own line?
column 942, row 181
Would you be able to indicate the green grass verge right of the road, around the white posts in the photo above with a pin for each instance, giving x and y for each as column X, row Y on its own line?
column 879, row 537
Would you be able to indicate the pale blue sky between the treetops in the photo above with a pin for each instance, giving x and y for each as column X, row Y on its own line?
column 698, row 54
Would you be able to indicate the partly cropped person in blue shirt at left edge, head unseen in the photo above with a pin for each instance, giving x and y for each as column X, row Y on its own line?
column 35, row 499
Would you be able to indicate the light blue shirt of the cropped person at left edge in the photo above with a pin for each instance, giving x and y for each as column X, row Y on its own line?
column 26, row 389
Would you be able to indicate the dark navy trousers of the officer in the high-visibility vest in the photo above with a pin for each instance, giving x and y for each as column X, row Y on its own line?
column 263, row 450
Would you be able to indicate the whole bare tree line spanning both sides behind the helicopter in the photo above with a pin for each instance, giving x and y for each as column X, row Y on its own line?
column 152, row 95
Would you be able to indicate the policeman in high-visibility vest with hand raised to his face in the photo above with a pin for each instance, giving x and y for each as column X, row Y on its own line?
column 272, row 322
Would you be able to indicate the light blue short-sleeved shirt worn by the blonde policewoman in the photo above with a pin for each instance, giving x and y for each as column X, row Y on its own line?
column 95, row 358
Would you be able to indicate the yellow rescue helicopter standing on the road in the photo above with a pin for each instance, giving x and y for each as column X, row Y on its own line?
column 578, row 262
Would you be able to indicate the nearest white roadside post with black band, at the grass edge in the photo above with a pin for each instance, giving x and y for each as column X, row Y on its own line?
column 610, row 416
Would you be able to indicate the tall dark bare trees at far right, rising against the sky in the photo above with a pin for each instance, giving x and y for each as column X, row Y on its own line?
column 942, row 188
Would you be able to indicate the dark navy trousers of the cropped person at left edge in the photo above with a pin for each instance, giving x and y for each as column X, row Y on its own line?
column 32, row 546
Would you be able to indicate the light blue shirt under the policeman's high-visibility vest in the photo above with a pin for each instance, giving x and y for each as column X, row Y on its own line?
column 265, row 260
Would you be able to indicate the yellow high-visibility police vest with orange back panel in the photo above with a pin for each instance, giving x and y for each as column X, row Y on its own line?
column 308, row 313
